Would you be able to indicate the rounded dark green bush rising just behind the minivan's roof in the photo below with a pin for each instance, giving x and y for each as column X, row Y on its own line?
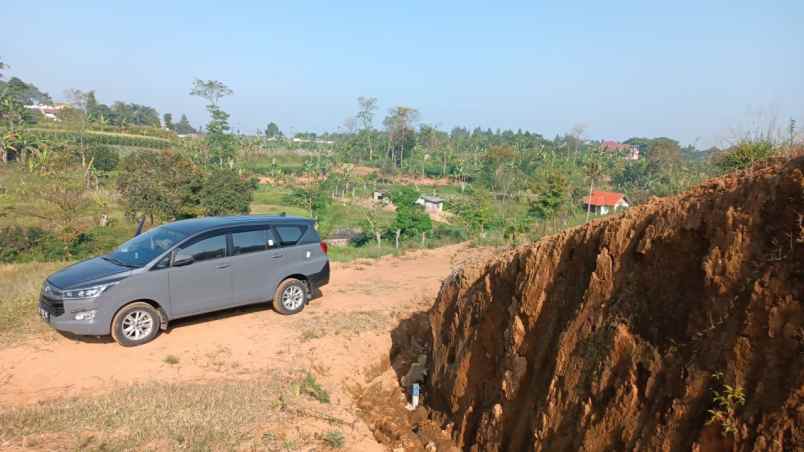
column 225, row 192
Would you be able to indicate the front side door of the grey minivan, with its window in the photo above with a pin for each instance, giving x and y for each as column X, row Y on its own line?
column 201, row 276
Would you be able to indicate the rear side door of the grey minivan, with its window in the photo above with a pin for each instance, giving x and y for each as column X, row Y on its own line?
column 256, row 264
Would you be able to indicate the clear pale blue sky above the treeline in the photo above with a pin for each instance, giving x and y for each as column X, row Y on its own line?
column 696, row 71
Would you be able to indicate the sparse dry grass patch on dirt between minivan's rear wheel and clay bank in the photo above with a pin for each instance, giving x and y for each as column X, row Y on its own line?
column 342, row 324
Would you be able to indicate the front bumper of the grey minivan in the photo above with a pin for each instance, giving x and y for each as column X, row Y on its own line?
column 60, row 314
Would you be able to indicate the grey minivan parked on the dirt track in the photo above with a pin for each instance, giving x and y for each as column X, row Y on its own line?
column 186, row 268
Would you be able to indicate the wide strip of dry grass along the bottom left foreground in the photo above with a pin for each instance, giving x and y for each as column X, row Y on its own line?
column 259, row 414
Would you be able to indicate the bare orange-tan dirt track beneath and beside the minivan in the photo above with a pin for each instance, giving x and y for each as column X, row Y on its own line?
column 342, row 338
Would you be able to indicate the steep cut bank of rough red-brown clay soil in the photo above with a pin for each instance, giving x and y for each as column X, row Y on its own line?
column 609, row 336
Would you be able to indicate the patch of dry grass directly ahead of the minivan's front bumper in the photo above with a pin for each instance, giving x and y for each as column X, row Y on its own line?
column 19, row 295
